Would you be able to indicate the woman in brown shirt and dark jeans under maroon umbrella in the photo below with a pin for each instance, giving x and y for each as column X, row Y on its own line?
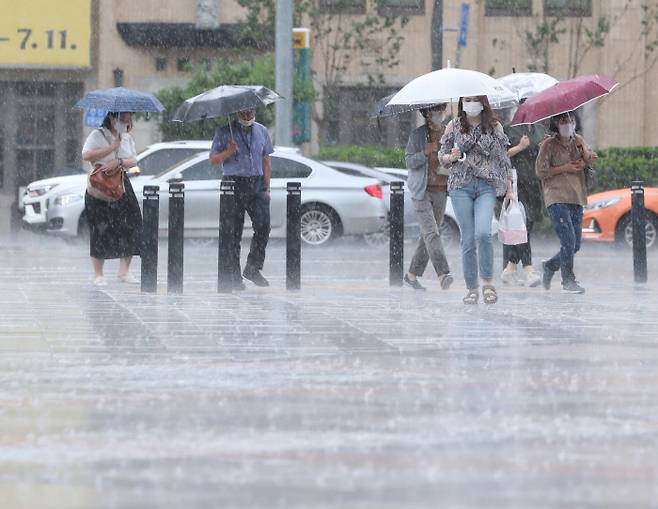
column 561, row 167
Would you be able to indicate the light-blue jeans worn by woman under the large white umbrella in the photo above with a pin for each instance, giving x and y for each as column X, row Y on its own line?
column 474, row 207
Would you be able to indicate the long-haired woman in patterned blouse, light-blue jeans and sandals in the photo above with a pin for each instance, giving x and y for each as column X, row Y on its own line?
column 474, row 147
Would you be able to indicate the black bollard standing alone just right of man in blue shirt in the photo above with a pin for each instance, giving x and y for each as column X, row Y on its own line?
column 293, row 236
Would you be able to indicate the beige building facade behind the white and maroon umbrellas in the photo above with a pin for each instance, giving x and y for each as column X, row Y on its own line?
column 498, row 42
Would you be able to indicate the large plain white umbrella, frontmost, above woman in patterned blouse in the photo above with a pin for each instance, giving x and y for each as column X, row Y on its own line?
column 448, row 85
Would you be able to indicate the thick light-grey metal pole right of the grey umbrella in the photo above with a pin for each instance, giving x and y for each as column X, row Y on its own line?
column 284, row 71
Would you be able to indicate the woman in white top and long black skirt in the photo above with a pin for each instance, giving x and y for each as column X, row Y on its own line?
column 114, row 226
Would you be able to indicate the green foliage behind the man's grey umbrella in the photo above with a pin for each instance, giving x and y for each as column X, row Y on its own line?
column 251, row 71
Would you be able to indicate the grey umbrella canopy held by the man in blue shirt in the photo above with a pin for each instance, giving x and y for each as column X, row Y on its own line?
column 224, row 100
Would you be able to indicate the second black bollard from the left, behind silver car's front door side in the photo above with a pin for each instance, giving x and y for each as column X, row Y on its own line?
column 176, row 236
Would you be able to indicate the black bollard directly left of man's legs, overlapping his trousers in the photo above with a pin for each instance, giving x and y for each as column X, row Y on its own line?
column 225, row 262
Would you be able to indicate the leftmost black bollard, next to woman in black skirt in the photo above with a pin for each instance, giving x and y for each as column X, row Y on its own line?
column 149, row 254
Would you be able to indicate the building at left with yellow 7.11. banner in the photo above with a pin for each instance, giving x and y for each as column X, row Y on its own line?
column 52, row 53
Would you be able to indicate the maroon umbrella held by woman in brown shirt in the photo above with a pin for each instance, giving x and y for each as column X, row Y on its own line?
column 562, row 97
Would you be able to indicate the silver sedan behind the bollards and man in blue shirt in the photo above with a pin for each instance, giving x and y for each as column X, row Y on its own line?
column 332, row 203
